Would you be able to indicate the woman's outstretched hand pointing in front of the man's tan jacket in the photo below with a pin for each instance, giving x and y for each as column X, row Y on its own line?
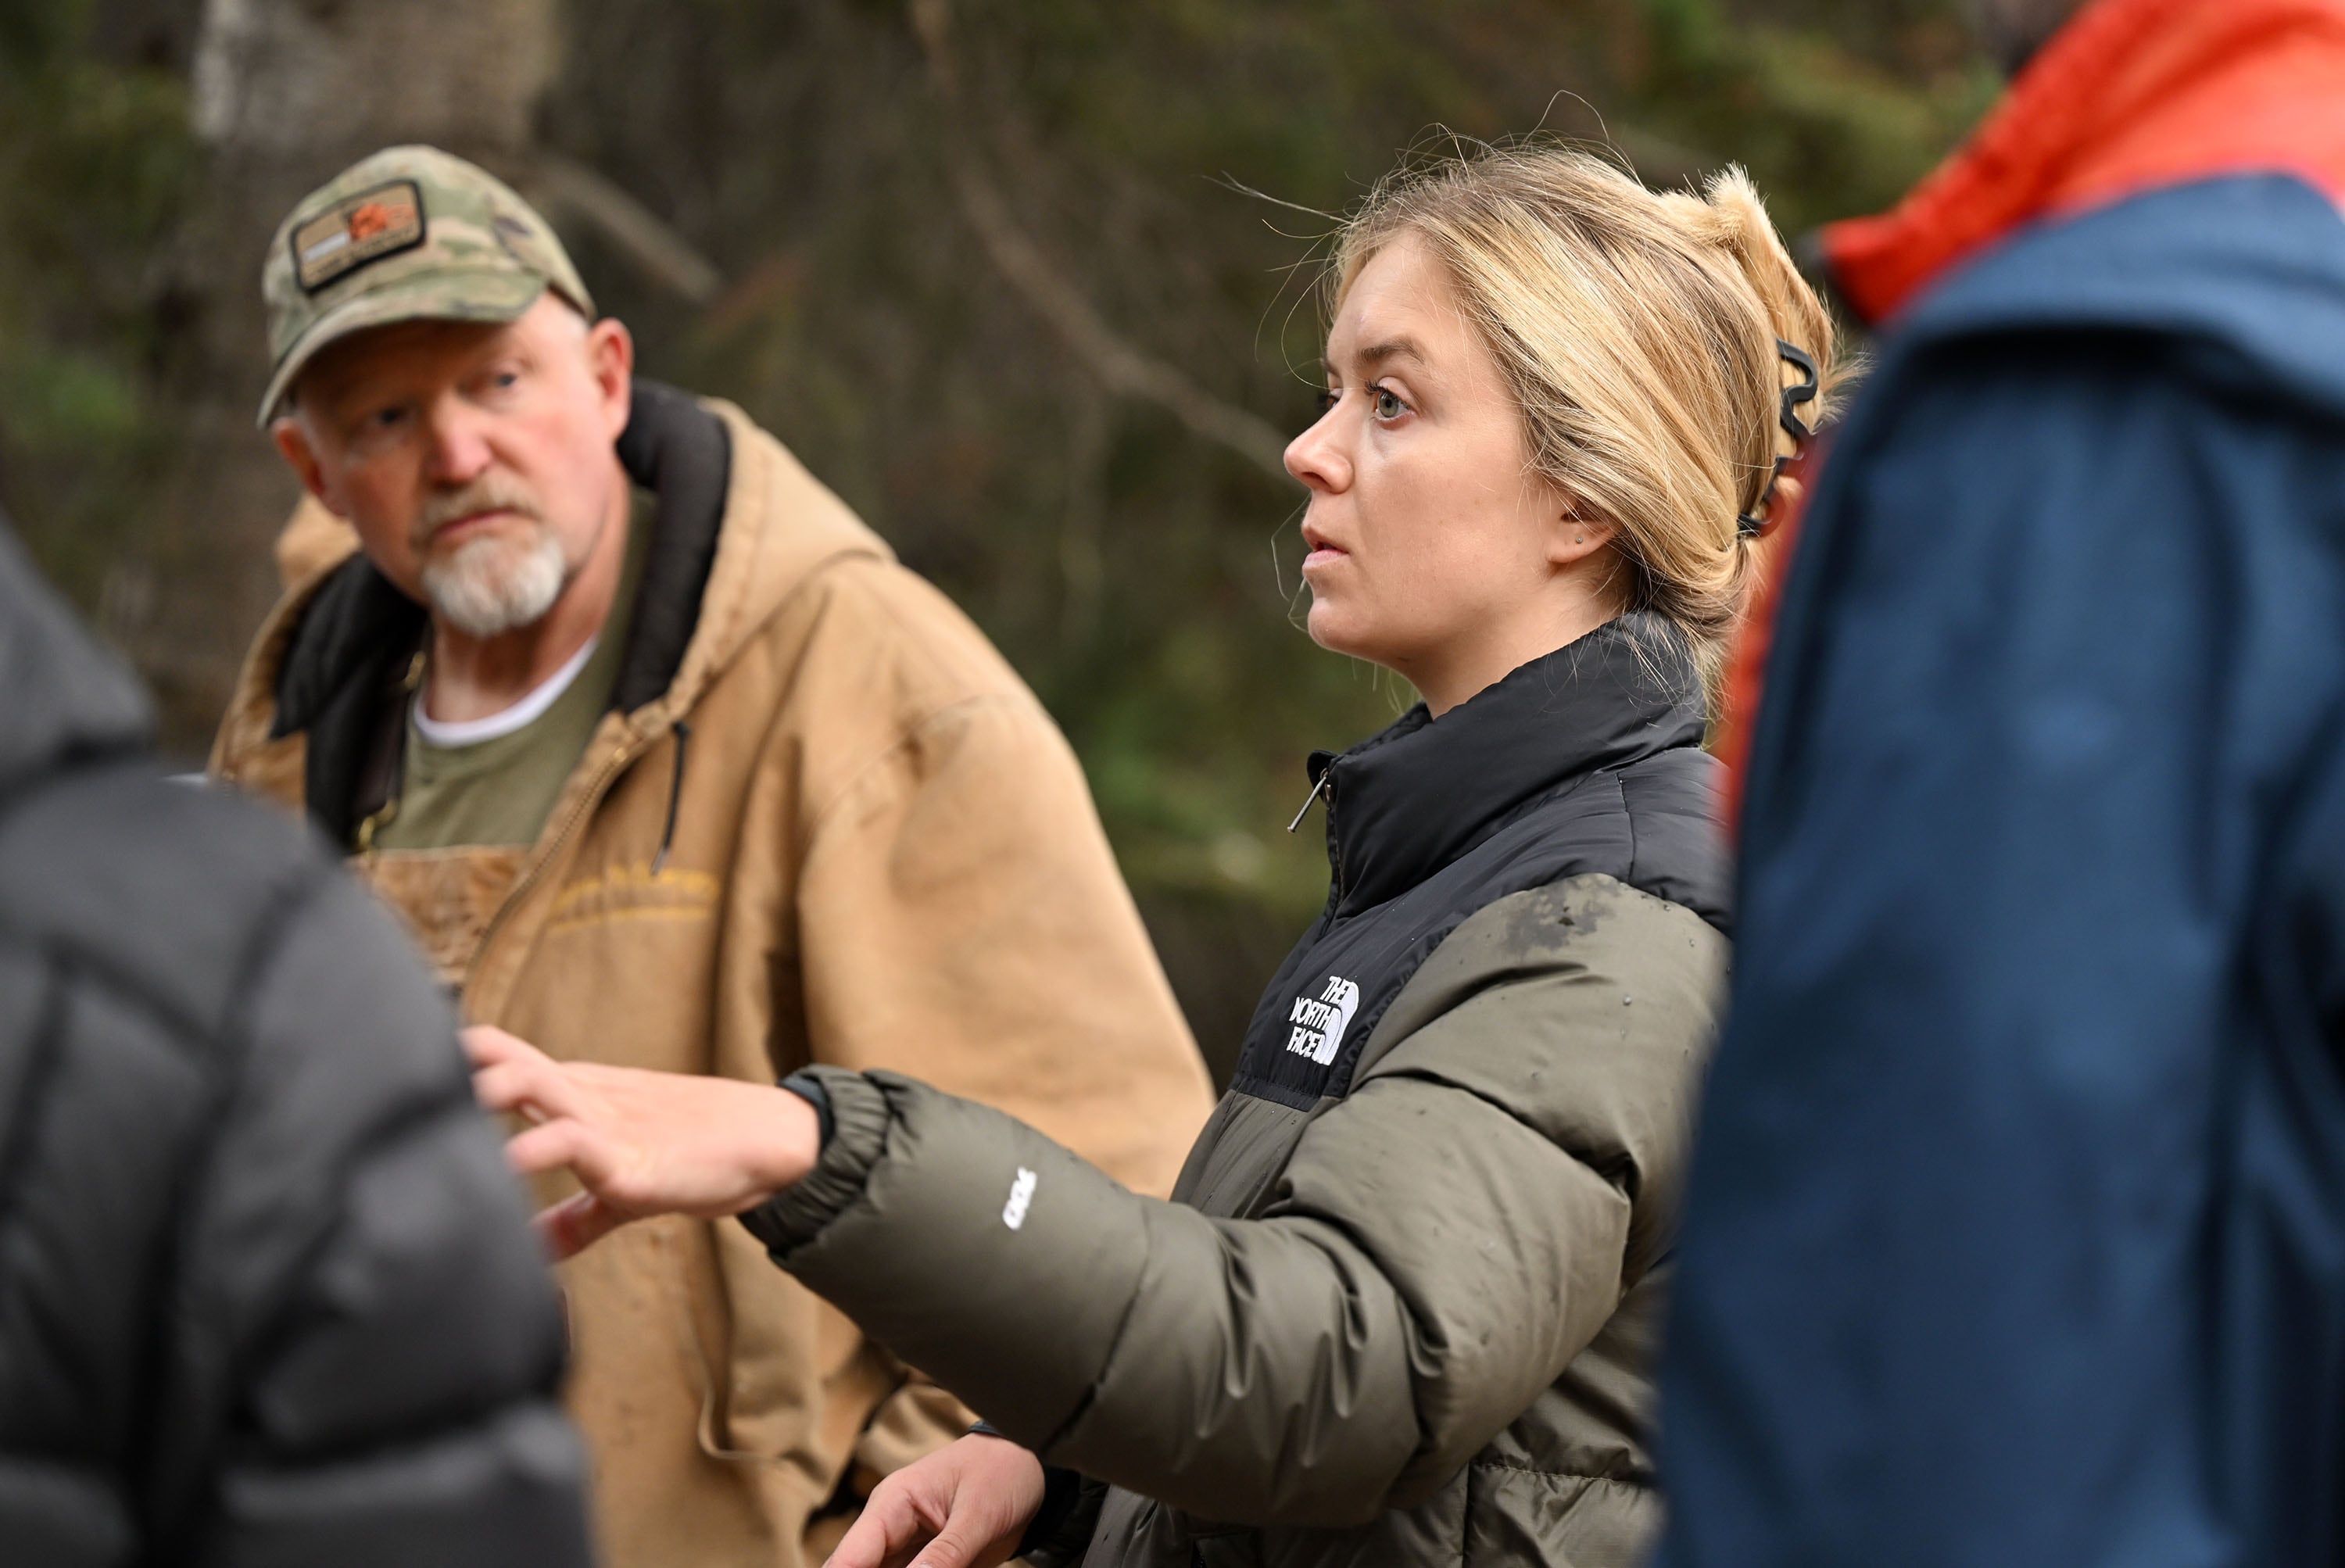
column 641, row 1143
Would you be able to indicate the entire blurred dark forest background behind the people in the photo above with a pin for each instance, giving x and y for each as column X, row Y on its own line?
column 1024, row 280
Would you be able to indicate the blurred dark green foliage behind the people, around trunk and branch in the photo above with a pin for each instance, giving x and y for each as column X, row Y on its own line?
column 1141, row 578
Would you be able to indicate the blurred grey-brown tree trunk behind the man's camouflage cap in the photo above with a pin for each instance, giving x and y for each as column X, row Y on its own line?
column 287, row 93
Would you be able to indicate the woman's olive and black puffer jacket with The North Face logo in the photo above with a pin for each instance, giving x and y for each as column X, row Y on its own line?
column 1403, row 1304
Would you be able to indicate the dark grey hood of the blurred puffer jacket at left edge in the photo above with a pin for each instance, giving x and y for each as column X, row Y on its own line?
column 67, row 697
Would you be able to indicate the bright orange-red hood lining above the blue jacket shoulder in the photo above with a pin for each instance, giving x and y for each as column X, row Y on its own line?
column 2128, row 100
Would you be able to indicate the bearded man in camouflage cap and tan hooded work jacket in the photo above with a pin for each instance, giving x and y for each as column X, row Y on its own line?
column 667, row 763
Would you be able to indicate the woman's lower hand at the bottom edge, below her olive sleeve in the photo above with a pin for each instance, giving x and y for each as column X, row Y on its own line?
column 960, row 1508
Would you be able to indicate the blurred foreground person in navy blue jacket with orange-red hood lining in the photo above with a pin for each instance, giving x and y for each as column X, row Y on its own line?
column 2018, row 1232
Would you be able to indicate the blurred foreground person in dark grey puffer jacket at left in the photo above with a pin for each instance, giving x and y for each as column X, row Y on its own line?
column 266, row 1286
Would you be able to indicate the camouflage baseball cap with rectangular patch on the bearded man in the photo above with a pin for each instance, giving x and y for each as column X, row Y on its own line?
column 405, row 236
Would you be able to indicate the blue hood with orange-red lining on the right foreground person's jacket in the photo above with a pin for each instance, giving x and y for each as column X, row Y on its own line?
column 2161, row 168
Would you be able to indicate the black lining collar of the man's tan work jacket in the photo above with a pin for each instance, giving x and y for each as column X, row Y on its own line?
column 351, row 650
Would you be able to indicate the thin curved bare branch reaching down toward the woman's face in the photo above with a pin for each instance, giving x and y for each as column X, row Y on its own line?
column 1122, row 367
